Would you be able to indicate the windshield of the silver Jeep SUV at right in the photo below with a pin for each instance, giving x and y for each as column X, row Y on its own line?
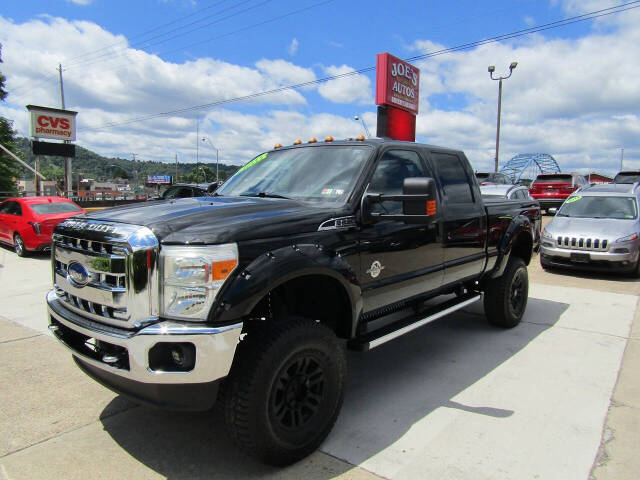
column 623, row 208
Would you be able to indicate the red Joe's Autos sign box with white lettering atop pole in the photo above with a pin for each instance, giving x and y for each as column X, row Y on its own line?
column 397, row 83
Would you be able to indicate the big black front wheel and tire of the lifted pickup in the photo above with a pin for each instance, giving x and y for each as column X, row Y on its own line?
column 296, row 366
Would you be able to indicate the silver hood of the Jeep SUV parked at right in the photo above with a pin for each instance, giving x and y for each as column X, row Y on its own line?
column 602, row 228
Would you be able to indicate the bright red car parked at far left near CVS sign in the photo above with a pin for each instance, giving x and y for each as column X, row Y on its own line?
column 27, row 223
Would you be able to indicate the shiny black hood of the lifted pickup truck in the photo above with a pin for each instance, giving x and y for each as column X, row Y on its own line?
column 218, row 219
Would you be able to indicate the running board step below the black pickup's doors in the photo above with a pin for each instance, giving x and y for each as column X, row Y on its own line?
column 396, row 329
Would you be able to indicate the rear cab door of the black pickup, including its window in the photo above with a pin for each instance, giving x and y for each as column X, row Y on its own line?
column 462, row 215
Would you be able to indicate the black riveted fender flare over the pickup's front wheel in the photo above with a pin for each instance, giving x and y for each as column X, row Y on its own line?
column 276, row 267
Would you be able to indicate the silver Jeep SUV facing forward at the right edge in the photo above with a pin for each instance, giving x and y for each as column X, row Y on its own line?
column 596, row 228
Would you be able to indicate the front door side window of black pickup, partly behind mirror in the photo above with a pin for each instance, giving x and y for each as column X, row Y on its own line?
column 392, row 169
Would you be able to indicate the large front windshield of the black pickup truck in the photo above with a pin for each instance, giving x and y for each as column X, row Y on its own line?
column 319, row 174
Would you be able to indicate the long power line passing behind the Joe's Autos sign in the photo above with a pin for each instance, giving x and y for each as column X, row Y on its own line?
column 466, row 46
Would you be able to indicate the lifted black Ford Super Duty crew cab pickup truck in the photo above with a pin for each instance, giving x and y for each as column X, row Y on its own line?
column 252, row 296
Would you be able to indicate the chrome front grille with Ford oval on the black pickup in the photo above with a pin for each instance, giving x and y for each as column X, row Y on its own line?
column 117, row 283
